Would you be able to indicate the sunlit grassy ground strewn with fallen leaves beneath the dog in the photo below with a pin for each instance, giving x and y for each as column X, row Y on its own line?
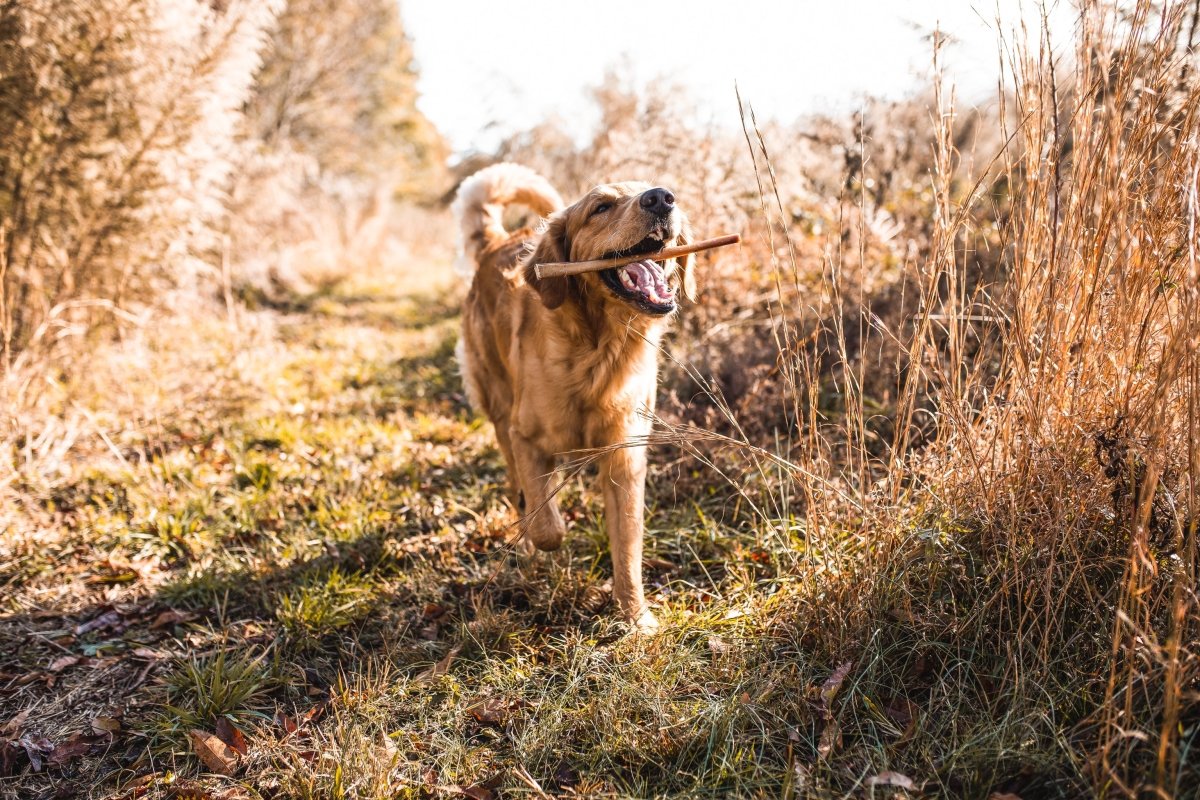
column 291, row 576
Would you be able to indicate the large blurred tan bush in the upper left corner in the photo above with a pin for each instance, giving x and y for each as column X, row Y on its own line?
column 118, row 123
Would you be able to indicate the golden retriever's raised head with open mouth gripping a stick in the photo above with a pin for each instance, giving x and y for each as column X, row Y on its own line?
column 610, row 221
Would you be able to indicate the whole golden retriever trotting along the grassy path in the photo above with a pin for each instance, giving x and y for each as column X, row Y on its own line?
column 571, row 364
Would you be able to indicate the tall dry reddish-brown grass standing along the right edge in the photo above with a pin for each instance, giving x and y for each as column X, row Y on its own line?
column 1019, row 491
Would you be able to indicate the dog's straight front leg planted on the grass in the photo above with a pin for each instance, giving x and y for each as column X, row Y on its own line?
column 623, row 480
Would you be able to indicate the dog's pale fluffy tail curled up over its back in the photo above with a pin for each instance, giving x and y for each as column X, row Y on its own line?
column 479, row 207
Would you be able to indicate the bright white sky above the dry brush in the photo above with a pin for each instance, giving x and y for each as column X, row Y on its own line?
column 494, row 68
